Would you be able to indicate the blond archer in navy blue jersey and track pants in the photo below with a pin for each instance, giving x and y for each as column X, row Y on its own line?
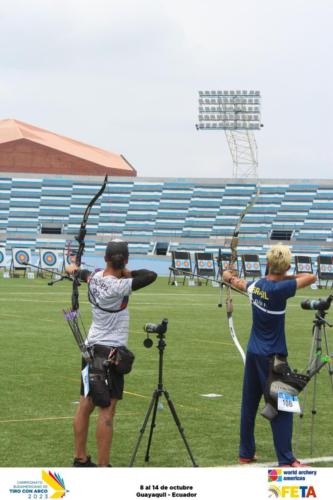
column 268, row 297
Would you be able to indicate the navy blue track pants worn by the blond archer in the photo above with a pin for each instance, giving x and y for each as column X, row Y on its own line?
column 255, row 379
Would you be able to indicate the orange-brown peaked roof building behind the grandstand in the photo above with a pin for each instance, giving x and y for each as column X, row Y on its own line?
column 29, row 149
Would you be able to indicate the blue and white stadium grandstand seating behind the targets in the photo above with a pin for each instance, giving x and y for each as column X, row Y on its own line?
column 174, row 214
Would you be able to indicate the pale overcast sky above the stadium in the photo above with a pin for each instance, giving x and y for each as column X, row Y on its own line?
column 124, row 75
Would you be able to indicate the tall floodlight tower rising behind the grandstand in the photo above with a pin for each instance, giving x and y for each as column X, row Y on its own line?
column 237, row 112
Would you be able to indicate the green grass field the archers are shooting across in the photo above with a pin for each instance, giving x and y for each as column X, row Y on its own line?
column 40, row 372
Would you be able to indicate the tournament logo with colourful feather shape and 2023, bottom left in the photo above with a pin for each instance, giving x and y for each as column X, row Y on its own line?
column 51, row 485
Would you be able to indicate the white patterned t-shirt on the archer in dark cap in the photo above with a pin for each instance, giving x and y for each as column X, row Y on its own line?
column 109, row 292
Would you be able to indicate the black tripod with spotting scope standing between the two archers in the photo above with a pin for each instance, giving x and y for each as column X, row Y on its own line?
column 154, row 403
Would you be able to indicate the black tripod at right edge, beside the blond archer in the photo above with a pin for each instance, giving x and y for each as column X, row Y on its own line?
column 317, row 360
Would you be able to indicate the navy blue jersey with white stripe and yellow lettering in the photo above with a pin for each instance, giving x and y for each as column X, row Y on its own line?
column 269, row 299
